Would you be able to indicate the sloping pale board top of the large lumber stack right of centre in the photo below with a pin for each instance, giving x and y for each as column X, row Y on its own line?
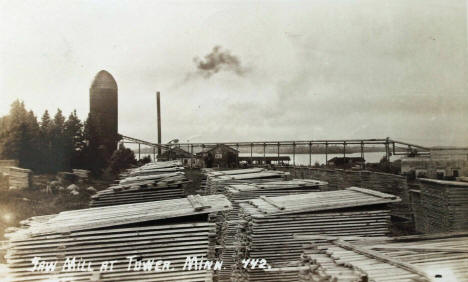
column 321, row 201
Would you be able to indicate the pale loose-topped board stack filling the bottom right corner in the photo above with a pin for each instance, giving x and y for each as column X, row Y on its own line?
column 433, row 257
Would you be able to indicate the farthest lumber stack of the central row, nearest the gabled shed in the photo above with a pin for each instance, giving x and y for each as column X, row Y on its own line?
column 217, row 180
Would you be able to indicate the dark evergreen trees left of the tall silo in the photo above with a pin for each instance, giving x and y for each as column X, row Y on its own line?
column 55, row 143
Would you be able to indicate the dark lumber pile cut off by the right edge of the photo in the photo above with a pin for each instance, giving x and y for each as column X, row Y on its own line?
column 442, row 206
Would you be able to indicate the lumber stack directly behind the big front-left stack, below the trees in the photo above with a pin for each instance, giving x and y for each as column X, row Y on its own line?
column 142, row 189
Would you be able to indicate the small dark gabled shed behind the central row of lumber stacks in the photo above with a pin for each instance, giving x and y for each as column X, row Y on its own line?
column 220, row 156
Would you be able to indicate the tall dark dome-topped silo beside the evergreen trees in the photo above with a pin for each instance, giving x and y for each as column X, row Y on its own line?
column 103, row 107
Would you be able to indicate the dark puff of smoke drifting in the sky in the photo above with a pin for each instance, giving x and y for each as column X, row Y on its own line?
column 218, row 60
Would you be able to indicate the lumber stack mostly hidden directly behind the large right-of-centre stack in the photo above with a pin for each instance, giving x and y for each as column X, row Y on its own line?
column 238, row 193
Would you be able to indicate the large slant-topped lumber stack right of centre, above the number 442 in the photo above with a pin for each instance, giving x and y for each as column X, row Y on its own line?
column 270, row 222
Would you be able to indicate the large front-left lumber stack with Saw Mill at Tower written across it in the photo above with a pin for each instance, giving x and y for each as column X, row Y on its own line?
column 168, row 230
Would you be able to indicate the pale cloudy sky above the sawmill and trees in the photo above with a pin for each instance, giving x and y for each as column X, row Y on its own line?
column 247, row 70
